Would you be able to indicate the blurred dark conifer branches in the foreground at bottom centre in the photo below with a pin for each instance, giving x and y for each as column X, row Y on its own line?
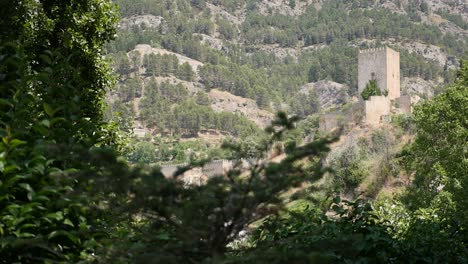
column 183, row 222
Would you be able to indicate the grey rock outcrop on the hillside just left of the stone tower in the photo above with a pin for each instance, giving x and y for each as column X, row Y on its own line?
column 331, row 95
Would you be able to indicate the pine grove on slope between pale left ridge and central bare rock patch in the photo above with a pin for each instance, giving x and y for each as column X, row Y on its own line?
column 169, row 109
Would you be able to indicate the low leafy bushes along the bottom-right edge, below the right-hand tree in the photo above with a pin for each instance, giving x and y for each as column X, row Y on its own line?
column 359, row 233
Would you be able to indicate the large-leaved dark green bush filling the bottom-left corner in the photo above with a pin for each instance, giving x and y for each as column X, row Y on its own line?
column 41, row 219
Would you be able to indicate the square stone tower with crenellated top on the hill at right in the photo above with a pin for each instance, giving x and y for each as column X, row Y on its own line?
column 382, row 65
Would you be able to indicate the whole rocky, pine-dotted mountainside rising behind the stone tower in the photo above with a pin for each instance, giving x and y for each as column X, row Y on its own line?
column 269, row 52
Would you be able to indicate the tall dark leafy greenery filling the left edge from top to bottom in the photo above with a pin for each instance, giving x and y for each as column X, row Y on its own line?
column 52, row 85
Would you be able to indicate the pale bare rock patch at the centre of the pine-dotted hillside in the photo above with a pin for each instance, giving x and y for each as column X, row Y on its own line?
column 227, row 102
